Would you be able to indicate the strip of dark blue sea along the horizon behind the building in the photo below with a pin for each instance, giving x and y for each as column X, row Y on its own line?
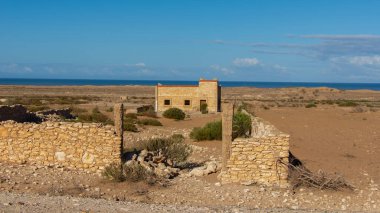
column 81, row 82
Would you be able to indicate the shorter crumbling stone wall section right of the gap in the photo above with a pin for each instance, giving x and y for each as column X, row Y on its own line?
column 255, row 159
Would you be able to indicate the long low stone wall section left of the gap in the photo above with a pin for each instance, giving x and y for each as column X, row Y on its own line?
column 76, row 146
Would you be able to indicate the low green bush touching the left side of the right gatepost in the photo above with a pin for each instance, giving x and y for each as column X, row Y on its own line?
column 211, row 131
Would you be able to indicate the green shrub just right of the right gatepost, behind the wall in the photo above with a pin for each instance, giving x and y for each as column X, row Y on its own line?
column 241, row 125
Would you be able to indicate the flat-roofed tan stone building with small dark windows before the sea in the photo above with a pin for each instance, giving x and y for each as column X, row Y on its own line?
column 189, row 98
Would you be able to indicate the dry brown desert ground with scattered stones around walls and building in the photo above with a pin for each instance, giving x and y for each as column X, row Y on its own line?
column 336, row 131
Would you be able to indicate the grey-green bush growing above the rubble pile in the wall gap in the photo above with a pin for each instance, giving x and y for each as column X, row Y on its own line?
column 172, row 148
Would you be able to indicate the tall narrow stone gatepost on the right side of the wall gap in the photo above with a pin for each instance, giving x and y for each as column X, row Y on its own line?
column 227, row 115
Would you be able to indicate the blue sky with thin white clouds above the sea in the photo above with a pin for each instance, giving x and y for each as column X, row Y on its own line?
column 232, row 40
